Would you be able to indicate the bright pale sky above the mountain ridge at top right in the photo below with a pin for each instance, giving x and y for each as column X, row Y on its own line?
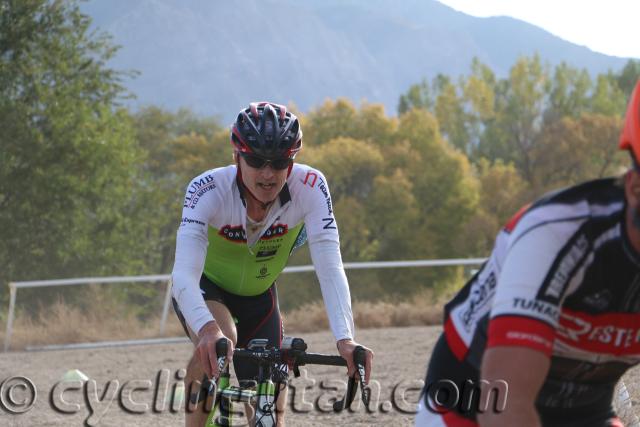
column 611, row 27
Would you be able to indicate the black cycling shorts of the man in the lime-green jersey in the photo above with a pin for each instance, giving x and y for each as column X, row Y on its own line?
column 255, row 317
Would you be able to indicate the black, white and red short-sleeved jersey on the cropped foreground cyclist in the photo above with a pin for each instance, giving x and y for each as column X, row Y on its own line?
column 562, row 279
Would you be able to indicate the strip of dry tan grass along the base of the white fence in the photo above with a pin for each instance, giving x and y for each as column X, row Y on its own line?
column 61, row 323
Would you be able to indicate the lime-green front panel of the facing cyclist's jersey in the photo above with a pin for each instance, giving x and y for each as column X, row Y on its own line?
column 245, row 271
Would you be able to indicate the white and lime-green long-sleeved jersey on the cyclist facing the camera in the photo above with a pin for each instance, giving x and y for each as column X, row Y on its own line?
column 212, row 240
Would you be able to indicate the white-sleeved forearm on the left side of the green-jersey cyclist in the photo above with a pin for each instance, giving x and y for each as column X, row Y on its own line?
column 187, row 269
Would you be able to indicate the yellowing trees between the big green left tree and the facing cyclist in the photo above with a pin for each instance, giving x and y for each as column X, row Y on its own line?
column 176, row 147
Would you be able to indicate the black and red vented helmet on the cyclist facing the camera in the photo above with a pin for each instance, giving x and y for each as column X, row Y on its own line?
column 267, row 130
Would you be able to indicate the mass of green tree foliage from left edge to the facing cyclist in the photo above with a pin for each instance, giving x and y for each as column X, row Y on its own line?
column 86, row 188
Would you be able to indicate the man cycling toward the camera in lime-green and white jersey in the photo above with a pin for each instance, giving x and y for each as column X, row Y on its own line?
column 239, row 225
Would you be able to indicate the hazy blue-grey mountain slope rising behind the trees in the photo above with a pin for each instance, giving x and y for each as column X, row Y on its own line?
column 216, row 56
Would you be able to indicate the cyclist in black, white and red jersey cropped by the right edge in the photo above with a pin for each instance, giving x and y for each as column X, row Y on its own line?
column 554, row 311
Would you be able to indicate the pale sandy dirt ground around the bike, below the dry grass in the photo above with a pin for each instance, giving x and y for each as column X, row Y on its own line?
column 145, row 372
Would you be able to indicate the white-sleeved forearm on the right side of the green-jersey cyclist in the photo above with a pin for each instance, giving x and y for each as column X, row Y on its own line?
column 327, row 261
